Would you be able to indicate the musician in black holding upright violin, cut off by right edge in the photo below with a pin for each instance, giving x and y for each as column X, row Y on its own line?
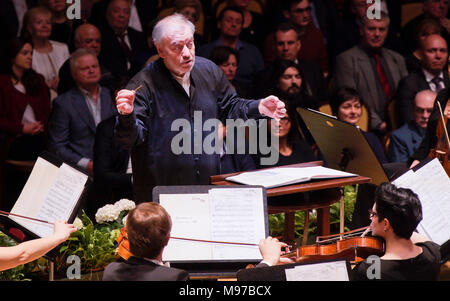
column 436, row 140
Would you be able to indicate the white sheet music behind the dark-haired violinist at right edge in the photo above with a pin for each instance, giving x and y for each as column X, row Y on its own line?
column 432, row 185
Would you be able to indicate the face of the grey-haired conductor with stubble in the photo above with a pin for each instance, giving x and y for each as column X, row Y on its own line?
column 178, row 51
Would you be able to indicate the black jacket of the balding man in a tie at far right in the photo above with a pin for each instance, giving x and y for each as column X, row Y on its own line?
column 407, row 89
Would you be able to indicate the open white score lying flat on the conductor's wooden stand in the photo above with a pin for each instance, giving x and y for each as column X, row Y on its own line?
column 287, row 175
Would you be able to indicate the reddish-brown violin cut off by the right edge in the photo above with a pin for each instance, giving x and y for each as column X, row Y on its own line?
column 442, row 149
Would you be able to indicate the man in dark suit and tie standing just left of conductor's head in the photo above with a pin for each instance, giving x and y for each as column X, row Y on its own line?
column 124, row 44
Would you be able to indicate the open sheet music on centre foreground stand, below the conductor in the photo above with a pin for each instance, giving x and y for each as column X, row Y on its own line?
column 227, row 215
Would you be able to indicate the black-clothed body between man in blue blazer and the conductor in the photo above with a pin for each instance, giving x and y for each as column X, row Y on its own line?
column 112, row 166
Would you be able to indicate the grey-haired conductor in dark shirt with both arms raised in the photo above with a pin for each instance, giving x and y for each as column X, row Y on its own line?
column 178, row 88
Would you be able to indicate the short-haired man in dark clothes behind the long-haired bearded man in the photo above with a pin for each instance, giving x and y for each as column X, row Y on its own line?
column 287, row 47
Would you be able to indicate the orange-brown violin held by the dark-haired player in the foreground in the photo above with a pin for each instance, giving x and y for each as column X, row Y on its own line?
column 345, row 245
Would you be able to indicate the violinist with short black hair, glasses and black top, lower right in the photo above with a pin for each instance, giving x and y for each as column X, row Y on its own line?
column 394, row 217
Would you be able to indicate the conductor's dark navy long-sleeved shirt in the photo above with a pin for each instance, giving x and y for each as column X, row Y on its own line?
column 162, row 110
